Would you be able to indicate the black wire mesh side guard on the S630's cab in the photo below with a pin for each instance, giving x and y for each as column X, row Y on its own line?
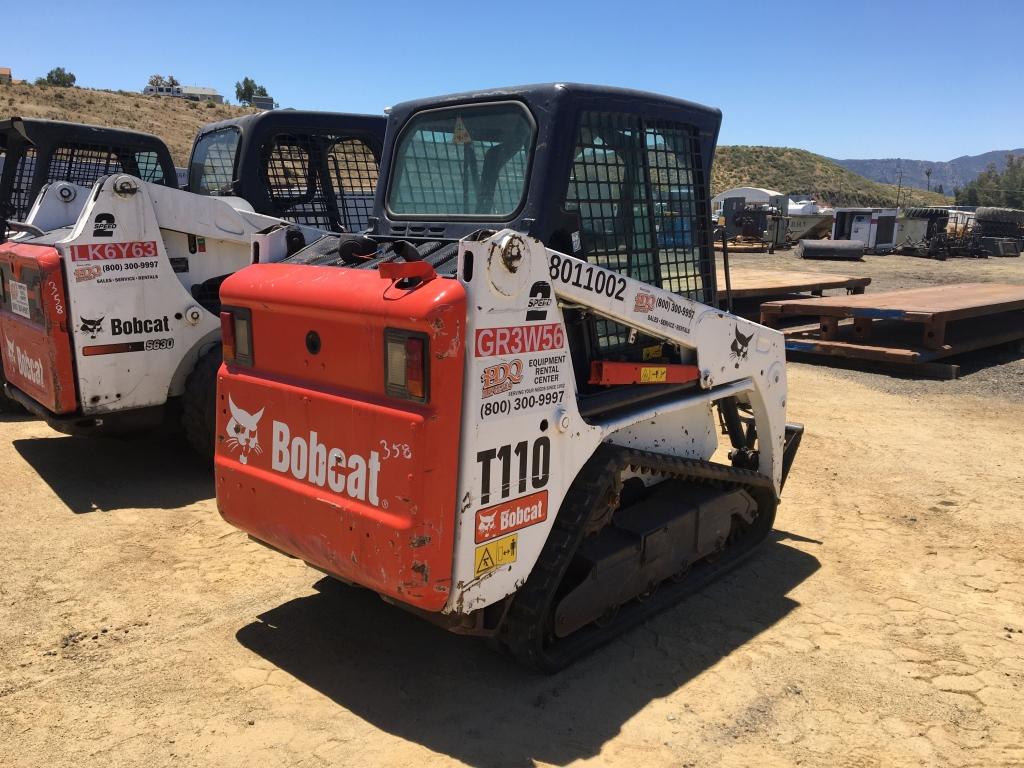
column 326, row 182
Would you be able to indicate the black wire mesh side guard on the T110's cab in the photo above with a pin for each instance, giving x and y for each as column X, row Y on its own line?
column 638, row 189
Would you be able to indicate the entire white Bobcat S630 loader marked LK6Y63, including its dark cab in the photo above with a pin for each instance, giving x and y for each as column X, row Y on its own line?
column 111, row 319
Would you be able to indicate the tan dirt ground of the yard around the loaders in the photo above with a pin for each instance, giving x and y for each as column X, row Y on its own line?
column 882, row 625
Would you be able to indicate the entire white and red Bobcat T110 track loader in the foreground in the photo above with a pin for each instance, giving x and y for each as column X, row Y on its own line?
column 501, row 408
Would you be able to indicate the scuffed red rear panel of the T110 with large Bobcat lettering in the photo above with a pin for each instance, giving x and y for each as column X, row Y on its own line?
column 314, row 458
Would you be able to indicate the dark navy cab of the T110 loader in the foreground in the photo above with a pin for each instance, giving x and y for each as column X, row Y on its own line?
column 618, row 178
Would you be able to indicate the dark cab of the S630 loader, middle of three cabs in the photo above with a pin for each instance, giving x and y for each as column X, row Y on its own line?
column 314, row 168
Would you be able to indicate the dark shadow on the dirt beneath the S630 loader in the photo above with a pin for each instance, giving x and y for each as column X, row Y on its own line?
column 97, row 474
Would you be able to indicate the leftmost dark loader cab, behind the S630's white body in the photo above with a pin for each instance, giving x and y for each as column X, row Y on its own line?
column 34, row 153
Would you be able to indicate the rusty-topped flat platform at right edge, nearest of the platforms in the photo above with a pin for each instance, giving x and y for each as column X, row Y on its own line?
column 915, row 327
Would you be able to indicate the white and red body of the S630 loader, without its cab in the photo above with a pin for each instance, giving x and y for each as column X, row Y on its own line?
column 106, row 323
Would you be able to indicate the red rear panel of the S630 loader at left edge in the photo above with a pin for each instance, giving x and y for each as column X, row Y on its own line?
column 37, row 350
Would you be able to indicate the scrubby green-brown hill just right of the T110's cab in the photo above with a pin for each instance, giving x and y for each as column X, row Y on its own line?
column 791, row 170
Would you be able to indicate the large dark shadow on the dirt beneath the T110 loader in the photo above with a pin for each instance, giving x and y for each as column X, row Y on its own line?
column 456, row 696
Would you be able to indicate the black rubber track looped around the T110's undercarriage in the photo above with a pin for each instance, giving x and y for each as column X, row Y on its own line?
column 598, row 486
